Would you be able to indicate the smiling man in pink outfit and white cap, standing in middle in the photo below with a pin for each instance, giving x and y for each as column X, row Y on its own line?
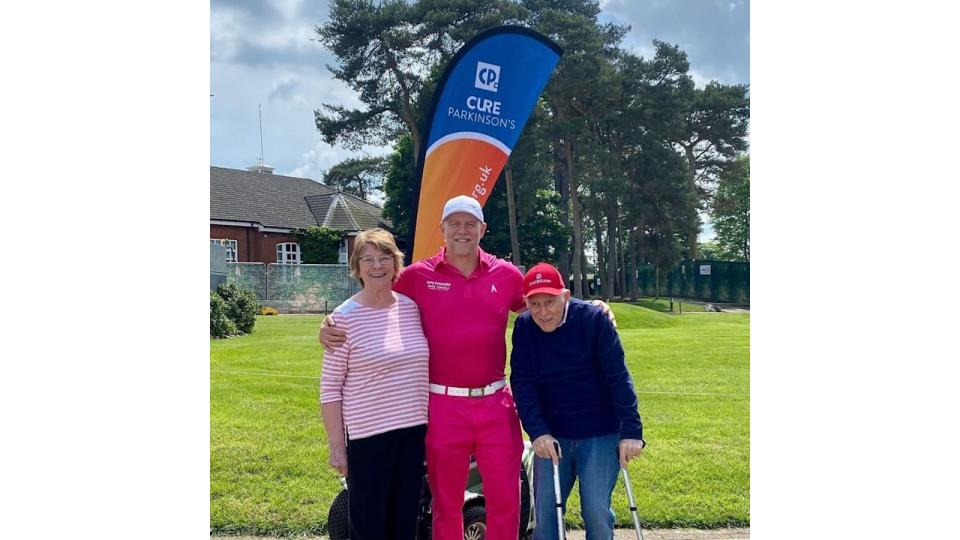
column 465, row 296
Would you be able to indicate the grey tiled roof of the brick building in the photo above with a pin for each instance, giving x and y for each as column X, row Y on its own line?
column 274, row 200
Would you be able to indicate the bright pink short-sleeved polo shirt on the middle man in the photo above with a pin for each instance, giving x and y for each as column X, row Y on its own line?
column 464, row 317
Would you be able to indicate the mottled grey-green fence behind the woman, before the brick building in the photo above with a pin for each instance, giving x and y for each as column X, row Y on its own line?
column 295, row 288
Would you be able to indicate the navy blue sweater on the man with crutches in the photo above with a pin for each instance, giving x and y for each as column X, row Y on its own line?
column 573, row 382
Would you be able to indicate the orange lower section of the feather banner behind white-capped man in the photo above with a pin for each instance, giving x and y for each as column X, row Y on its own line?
column 457, row 167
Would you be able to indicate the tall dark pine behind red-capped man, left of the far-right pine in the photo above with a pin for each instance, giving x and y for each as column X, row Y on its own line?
column 639, row 181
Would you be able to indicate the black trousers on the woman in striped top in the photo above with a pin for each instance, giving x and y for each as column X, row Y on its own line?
column 384, row 479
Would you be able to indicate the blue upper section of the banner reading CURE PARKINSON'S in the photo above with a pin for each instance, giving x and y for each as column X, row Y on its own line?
column 493, row 88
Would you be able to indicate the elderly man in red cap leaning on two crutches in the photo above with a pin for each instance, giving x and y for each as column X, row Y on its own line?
column 572, row 387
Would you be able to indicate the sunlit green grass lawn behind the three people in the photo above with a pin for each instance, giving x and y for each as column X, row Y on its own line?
column 268, row 455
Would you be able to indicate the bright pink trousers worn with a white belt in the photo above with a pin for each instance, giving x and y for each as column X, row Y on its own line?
column 489, row 428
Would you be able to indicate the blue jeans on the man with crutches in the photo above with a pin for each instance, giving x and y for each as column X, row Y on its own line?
column 596, row 463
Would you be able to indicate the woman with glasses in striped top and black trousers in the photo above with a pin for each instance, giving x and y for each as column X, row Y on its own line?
column 374, row 394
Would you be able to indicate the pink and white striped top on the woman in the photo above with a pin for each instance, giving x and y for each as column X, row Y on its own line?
column 381, row 372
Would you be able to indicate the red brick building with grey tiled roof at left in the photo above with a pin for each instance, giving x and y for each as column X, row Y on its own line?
column 253, row 212
